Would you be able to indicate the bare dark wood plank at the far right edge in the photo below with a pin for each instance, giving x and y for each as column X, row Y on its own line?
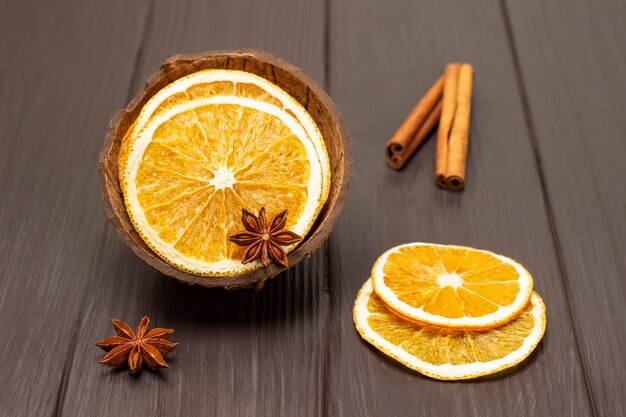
column 572, row 59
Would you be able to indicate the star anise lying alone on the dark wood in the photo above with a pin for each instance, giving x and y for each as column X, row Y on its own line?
column 142, row 347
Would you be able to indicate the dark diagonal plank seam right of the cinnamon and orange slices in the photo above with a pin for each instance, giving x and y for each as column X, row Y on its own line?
column 534, row 142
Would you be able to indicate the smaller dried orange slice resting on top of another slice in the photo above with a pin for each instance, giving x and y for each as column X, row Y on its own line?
column 451, row 286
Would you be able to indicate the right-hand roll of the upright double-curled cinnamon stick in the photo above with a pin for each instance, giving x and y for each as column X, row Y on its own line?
column 459, row 135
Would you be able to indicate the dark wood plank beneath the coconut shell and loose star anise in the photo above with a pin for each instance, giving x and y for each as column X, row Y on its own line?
column 240, row 353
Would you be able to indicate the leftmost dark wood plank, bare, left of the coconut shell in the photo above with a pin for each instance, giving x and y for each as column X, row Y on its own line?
column 64, row 67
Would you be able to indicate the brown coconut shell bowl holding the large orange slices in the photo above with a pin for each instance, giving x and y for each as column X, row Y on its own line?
column 291, row 79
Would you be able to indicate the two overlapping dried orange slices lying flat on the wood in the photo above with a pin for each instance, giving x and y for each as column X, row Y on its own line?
column 450, row 312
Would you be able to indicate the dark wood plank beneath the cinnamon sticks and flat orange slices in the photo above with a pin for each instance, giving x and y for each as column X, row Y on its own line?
column 384, row 56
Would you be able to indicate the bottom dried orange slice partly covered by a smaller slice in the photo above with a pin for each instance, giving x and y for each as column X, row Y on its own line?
column 449, row 354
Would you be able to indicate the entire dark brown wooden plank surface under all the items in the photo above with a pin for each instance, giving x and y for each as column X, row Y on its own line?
column 544, row 186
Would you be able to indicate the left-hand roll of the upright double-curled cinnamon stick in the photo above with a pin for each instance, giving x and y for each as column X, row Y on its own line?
column 451, row 76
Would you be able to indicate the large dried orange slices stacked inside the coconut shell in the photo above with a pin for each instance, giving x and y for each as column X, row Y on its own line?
column 207, row 146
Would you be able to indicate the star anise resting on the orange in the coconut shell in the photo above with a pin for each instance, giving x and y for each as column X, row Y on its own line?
column 262, row 239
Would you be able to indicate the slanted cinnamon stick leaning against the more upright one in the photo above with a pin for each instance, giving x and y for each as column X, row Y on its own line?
column 415, row 128
